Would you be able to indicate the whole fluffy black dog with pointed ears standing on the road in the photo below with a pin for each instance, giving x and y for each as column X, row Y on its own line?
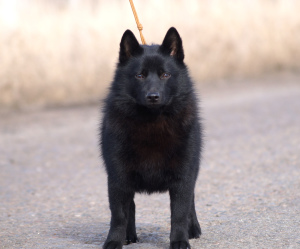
column 151, row 137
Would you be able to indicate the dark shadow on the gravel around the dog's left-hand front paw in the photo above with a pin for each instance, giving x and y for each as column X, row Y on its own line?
column 149, row 236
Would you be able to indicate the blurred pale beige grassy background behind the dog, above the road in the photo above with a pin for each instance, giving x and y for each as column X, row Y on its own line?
column 64, row 52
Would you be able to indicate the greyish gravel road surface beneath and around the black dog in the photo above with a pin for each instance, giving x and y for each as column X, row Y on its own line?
column 53, row 190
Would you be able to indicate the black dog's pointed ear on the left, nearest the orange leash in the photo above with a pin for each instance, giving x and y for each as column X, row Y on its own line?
column 129, row 47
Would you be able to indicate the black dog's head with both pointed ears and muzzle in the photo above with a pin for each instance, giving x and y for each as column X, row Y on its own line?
column 152, row 75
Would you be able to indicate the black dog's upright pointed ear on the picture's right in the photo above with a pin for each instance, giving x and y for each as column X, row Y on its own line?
column 172, row 45
